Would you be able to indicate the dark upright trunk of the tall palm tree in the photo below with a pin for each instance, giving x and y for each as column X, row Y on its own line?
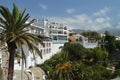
column 11, row 50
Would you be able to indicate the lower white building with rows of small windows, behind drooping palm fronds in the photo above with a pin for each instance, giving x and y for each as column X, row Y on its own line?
column 46, row 52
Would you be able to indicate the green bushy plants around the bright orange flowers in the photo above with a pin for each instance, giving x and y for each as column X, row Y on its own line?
column 59, row 67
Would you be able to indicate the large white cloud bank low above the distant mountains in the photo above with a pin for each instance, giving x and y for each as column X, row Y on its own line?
column 86, row 22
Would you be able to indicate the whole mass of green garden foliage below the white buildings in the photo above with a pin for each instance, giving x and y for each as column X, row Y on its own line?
column 77, row 63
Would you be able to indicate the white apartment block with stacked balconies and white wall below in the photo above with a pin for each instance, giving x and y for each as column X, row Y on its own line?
column 58, row 32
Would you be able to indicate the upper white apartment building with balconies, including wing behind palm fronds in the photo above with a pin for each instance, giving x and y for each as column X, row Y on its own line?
column 58, row 32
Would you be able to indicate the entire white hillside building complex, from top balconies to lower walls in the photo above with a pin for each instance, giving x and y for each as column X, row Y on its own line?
column 56, row 34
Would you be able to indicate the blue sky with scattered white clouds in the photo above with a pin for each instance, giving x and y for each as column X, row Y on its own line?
column 78, row 14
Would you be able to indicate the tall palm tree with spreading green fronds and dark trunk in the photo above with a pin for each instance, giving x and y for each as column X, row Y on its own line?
column 13, row 24
